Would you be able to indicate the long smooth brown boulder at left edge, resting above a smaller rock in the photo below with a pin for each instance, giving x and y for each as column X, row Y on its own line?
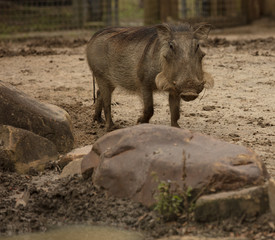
column 47, row 120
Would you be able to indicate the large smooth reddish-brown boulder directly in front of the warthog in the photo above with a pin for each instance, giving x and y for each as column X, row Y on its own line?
column 123, row 161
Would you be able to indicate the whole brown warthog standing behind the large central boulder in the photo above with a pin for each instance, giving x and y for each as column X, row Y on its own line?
column 144, row 59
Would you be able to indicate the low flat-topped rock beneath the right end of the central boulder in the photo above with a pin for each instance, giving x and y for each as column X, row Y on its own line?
column 245, row 203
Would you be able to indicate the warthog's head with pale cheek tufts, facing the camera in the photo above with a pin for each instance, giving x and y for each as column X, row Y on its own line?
column 181, row 60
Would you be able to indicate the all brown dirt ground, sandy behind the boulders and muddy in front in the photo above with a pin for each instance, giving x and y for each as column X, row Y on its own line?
column 239, row 109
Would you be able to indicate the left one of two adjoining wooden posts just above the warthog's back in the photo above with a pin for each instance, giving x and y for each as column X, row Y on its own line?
column 151, row 12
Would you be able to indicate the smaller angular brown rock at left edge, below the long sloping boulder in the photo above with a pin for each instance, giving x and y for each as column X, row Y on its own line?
column 21, row 150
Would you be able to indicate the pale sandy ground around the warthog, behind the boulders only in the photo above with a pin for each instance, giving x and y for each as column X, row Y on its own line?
column 239, row 109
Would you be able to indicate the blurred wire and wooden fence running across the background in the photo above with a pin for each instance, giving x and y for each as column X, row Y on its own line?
column 37, row 15
